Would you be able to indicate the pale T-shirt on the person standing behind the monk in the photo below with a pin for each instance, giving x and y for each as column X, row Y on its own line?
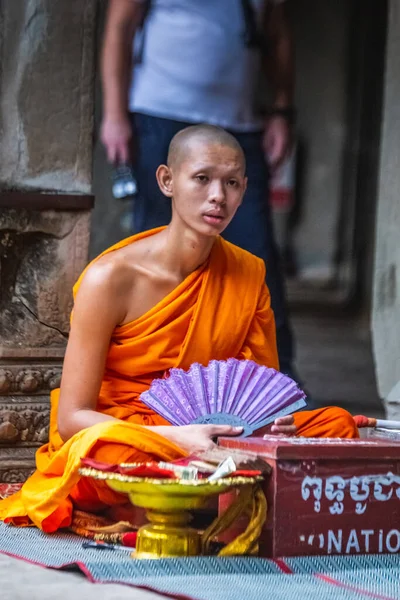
column 194, row 65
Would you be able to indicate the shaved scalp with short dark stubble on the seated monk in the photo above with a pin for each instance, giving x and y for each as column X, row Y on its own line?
column 184, row 141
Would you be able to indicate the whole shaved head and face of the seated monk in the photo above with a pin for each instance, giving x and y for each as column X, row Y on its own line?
column 205, row 178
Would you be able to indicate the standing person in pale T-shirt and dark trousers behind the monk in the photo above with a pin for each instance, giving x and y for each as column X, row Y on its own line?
column 167, row 64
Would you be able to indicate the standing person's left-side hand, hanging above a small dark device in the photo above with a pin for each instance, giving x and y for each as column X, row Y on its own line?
column 116, row 135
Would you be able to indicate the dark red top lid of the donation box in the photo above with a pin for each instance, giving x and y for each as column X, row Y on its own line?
column 274, row 447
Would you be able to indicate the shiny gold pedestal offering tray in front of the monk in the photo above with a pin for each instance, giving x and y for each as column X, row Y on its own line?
column 167, row 502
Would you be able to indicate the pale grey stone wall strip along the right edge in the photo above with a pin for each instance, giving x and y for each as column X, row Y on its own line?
column 386, row 309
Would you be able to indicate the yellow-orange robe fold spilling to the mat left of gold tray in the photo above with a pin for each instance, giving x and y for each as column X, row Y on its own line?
column 45, row 500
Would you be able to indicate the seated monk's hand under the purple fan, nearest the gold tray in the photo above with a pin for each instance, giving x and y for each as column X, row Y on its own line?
column 198, row 438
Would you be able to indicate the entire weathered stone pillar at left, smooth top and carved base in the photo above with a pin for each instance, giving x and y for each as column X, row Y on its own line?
column 46, row 118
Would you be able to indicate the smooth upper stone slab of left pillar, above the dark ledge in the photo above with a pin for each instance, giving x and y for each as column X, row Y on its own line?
column 46, row 74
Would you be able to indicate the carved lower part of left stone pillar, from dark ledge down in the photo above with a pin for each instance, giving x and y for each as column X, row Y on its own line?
column 43, row 249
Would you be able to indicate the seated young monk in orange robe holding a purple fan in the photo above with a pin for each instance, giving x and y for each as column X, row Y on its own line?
column 161, row 299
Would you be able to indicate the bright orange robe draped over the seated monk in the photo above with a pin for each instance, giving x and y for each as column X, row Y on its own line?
column 221, row 310
